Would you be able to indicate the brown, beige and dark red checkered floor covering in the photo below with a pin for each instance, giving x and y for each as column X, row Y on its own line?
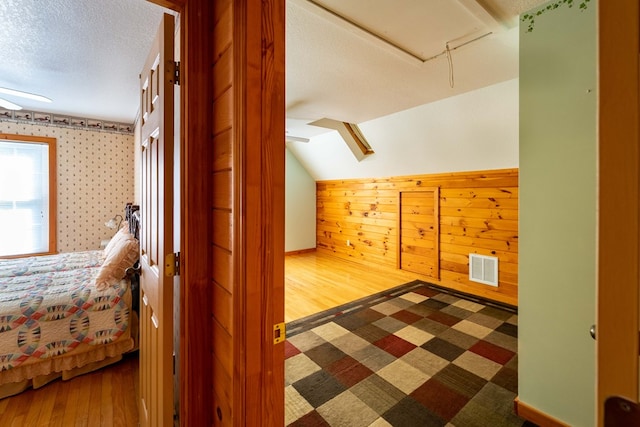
column 417, row 356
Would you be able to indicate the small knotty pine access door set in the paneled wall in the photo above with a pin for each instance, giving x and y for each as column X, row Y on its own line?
column 419, row 232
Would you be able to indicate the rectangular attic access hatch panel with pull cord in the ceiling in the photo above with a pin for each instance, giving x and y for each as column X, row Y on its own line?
column 420, row 28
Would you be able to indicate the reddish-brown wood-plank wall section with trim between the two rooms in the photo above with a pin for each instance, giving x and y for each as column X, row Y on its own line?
column 232, row 231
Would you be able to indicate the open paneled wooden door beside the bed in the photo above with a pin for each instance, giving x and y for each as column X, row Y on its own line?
column 156, row 240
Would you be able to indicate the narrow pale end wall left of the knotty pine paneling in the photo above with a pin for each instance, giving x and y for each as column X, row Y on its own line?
column 300, row 207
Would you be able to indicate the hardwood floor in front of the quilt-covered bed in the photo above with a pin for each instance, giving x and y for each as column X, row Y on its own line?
column 103, row 398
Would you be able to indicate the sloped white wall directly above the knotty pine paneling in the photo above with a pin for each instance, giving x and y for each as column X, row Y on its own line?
column 474, row 131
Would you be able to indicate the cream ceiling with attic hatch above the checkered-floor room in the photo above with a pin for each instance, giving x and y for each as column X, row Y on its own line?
column 362, row 59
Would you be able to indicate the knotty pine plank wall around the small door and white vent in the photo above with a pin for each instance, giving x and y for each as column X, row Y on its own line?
column 478, row 213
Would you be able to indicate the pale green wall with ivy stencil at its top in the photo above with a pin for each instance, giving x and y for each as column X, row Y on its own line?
column 558, row 201
